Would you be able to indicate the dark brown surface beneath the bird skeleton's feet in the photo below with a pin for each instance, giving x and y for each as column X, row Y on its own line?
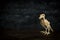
column 27, row 35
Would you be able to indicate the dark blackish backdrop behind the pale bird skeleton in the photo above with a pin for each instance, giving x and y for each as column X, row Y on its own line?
column 22, row 15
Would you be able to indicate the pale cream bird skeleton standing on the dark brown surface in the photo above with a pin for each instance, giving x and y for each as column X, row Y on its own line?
column 45, row 24
